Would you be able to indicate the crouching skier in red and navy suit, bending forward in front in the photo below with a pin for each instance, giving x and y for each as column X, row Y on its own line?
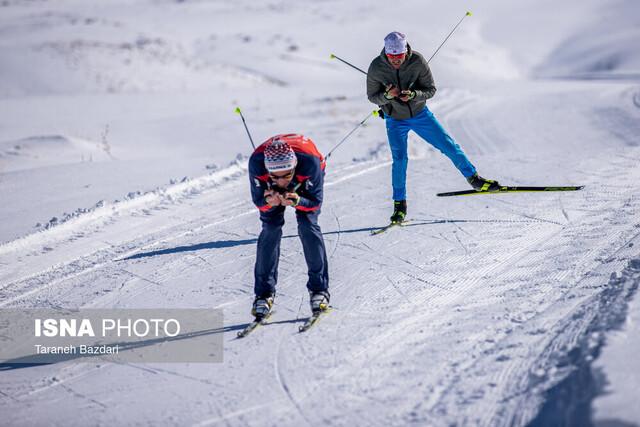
column 288, row 170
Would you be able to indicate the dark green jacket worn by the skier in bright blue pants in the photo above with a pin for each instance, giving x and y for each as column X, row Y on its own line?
column 414, row 74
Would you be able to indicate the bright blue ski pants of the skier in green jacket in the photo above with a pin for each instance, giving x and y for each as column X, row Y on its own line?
column 428, row 128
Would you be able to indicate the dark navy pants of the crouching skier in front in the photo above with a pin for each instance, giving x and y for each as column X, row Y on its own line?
column 315, row 255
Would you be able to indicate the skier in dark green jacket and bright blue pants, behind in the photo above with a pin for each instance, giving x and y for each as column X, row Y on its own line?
column 399, row 81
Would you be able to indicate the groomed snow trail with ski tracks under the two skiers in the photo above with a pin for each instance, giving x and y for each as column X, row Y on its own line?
column 457, row 318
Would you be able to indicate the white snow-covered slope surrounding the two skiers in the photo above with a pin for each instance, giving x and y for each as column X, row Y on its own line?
column 466, row 316
